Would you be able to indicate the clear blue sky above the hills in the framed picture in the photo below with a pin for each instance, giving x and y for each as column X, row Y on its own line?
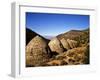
column 54, row 24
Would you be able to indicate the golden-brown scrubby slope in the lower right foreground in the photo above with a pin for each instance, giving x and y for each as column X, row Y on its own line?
column 74, row 56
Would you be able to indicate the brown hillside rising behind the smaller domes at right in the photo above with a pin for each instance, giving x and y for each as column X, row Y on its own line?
column 81, row 36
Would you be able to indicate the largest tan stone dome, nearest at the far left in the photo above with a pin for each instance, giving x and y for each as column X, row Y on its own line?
column 36, row 52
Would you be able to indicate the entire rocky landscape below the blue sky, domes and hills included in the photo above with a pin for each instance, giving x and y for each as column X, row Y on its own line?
column 70, row 48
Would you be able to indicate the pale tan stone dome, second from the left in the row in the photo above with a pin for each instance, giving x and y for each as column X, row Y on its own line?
column 55, row 46
